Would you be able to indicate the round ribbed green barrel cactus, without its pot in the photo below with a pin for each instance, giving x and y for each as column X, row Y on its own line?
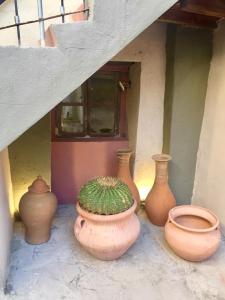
column 105, row 196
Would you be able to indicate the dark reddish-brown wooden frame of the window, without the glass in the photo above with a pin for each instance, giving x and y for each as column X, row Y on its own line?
column 120, row 68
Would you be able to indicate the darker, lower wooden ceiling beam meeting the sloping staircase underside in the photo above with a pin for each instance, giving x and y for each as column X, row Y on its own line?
column 177, row 16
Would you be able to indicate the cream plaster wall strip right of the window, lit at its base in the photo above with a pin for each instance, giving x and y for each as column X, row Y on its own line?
column 149, row 49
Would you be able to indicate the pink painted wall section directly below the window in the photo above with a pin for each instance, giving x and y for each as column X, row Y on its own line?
column 73, row 163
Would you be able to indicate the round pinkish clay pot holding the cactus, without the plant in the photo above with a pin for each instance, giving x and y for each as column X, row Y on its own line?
column 107, row 237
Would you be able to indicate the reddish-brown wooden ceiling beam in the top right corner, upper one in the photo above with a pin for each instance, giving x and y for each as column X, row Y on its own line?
column 213, row 8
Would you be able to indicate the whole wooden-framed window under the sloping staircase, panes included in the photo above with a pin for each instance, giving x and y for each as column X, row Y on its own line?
column 95, row 109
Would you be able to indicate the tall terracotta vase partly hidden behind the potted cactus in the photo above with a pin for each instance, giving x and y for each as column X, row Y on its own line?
column 124, row 174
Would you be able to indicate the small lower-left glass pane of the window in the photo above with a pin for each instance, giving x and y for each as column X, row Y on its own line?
column 72, row 120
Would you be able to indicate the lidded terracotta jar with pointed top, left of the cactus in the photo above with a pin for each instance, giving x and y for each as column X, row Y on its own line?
column 37, row 208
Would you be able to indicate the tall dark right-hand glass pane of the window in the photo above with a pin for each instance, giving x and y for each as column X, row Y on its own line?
column 103, row 91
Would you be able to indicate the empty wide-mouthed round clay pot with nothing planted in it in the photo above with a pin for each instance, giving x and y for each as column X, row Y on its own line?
column 192, row 232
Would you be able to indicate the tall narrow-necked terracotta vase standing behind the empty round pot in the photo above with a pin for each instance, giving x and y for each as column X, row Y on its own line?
column 160, row 199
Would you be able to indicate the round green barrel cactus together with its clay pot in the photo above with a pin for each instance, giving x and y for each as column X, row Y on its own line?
column 107, row 225
